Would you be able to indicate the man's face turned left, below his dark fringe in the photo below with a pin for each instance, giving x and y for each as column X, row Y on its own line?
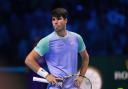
column 59, row 23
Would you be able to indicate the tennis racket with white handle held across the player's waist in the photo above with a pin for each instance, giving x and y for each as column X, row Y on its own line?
column 86, row 83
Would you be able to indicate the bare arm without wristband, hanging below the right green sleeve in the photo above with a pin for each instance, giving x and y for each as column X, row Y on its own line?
column 85, row 62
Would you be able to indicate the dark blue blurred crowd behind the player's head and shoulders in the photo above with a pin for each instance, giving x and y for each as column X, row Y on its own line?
column 103, row 25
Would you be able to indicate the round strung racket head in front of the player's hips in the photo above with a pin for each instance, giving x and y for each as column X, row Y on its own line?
column 69, row 83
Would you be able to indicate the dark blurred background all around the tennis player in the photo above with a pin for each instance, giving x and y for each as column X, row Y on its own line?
column 103, row 24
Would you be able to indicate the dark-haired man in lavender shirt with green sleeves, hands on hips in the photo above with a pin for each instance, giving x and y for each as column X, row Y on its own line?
column 60, row 50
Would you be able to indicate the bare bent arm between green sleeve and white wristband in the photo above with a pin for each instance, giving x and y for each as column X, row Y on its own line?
column 31, row 60
